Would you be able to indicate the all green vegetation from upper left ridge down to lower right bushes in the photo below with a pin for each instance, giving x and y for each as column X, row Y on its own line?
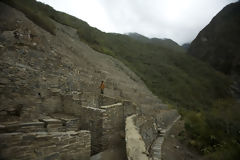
column 200, row 93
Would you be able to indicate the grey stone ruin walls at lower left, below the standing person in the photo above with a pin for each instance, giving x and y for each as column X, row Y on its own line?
column 90, row 130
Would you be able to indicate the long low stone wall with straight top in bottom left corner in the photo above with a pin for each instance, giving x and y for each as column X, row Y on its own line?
column 45, row 145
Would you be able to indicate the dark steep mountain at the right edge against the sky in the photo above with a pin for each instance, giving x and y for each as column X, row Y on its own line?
column 219, row 42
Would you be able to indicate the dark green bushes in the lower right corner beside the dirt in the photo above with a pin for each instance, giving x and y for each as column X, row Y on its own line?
column 215, row 132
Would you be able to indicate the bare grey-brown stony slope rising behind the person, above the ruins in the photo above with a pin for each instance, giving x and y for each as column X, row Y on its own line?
column 34, row 67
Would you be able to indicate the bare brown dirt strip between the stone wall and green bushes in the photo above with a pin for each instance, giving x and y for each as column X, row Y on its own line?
column 173, row 149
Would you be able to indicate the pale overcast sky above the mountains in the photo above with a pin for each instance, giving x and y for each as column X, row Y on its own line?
column 179, row 20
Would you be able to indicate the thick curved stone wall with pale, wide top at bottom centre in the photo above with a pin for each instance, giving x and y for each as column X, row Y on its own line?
column 140, row 134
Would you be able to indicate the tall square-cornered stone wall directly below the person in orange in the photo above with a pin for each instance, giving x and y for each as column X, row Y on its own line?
column 105, row 123
